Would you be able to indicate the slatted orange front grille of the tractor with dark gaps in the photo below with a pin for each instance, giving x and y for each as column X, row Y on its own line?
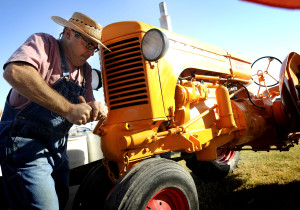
column 125, row 74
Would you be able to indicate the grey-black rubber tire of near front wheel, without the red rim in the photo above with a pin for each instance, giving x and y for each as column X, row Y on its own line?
column 136, row 188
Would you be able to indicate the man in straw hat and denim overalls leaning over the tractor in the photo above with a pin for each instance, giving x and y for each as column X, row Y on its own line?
column 51, row 83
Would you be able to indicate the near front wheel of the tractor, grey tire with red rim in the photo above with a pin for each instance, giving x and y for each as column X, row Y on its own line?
column 155, row 183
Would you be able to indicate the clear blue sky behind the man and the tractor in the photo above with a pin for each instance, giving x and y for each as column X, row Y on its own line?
column 248, row 29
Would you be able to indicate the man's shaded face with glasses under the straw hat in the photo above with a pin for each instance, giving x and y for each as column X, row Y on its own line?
column 79, row 48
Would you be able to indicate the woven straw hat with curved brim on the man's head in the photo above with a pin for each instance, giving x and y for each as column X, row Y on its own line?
column 84, row 25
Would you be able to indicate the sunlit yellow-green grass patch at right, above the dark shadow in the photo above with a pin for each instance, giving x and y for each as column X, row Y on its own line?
column 265, row 168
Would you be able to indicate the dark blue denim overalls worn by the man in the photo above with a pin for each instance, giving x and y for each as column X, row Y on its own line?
column 34, row 161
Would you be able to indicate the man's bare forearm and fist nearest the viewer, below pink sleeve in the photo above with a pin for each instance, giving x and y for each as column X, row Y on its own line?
column 27, row 81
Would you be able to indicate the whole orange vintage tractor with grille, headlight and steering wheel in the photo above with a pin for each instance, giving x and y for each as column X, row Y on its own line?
column 170, row 97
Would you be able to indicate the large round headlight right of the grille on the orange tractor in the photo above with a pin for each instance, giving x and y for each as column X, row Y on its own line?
column 154, row 45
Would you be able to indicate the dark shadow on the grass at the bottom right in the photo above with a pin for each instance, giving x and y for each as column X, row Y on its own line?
column 225, row 194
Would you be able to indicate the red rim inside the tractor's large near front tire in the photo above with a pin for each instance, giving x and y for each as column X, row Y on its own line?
column 168, row 199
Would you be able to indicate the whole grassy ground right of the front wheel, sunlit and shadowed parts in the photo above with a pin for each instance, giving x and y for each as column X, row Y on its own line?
column 264, row 180
